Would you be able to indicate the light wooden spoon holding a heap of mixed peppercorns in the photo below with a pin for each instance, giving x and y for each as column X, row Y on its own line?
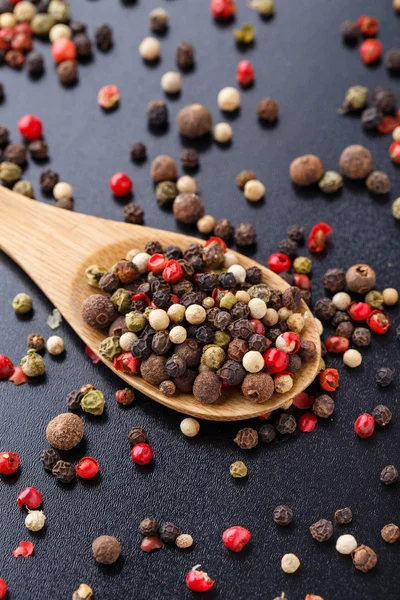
column 55, row 246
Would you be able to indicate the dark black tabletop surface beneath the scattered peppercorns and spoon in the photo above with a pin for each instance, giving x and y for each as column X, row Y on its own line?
column 299, row 60
